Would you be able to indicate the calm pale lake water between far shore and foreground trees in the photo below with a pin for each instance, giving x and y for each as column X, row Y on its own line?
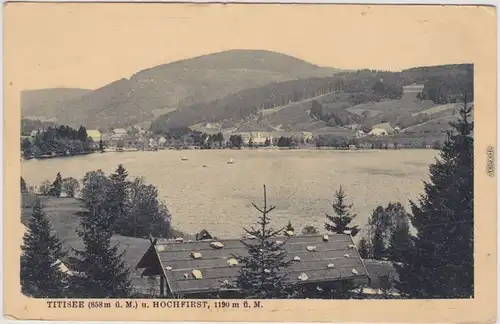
column 218, row 197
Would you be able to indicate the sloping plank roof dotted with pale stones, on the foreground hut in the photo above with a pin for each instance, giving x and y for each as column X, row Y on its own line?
column 177, row 262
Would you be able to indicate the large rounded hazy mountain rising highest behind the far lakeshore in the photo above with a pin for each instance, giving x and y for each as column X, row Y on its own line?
column 168, row 87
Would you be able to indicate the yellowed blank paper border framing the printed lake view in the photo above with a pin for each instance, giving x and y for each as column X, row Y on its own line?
column 481, row 50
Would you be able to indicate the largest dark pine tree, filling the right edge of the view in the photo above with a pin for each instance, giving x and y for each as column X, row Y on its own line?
column 441, row 264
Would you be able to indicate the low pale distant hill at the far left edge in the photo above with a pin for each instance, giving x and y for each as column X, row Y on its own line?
column 44, row 103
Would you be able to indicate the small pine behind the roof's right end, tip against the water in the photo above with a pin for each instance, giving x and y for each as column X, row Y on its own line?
column 339, row 223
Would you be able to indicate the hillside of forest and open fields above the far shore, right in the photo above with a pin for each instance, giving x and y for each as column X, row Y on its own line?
column 363, row 97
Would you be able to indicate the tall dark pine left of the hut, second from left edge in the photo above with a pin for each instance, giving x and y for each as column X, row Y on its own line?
column 104, row 272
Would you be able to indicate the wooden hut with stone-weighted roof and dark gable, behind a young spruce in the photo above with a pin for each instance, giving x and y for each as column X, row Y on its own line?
column 208, row 268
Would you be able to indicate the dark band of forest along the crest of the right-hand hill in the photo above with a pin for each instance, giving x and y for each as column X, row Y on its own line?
column 361, row 86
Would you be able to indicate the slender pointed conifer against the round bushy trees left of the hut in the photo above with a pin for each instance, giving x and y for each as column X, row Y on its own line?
column 119, row 198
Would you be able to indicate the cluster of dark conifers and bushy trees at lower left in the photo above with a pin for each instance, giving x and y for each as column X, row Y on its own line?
column 114, row 205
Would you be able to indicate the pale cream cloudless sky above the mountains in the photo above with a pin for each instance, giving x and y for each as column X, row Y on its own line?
column 87, row 45
